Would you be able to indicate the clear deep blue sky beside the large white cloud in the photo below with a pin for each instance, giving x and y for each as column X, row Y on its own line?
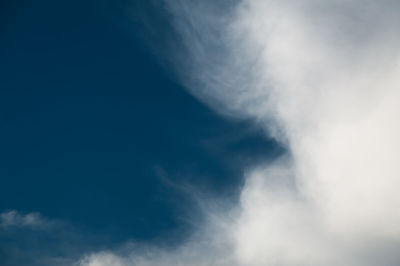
column 91, row 125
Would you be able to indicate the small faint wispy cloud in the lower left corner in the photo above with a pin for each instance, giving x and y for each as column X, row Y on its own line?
column 32, row 239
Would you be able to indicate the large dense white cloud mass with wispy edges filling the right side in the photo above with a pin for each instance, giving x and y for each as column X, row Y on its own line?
column 322, row 77
